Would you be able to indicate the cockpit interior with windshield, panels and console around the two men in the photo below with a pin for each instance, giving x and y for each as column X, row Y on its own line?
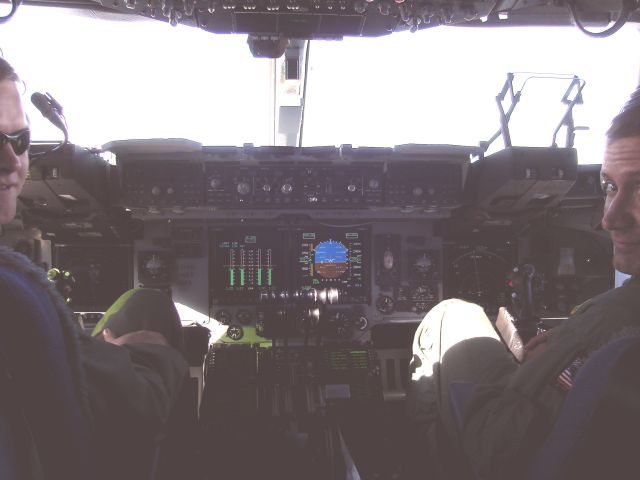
column 302, row 251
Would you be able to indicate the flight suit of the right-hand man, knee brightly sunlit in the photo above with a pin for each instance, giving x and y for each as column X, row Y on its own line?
column 513, row 406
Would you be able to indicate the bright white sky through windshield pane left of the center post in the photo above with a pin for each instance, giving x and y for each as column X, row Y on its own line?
column 142, row 79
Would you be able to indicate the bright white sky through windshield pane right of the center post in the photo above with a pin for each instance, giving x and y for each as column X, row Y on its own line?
column 439, row 86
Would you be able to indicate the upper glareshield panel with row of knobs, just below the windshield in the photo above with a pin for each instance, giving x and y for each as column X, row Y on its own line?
column 279, row 178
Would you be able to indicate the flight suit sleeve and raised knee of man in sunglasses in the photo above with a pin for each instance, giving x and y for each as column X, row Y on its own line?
column 132, row 388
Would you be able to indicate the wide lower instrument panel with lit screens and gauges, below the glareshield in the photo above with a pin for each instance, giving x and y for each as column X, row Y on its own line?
column 265, row 281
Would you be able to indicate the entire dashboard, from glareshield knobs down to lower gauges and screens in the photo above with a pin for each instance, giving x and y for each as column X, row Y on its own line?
column 319, row 243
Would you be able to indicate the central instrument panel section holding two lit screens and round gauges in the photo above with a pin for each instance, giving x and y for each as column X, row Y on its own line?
column 297, row 278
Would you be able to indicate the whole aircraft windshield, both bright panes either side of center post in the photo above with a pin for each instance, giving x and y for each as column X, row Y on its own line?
column 145, row 79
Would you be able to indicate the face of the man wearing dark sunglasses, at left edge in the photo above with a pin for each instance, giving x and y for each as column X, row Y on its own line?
column 13, row 168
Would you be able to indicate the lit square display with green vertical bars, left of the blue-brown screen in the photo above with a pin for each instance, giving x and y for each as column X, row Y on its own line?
column 245, row 263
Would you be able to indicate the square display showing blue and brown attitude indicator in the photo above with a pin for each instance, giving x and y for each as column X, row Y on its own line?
column 336, row 257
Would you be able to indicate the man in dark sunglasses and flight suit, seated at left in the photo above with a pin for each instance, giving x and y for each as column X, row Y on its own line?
column 130, row 377
